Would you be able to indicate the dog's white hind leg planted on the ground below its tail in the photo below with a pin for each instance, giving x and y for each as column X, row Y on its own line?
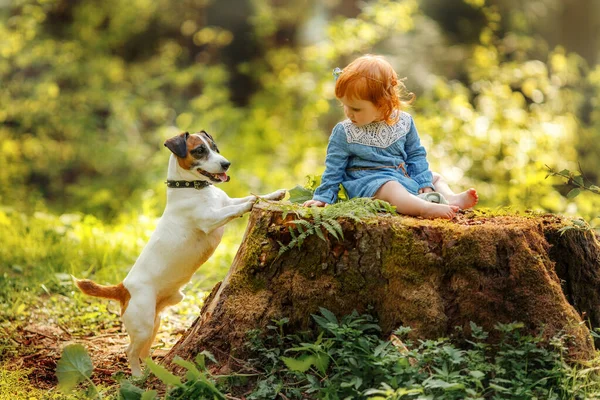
column 139, row 319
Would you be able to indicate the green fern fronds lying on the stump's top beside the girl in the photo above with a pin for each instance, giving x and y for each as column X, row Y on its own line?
column 325, row 219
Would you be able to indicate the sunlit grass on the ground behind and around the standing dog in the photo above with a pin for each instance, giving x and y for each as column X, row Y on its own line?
column 41, row 251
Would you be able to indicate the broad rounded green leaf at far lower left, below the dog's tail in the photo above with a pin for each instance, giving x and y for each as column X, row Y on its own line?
column 73, row 367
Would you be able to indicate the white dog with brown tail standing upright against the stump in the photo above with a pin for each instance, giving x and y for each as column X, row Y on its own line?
column 186, row 235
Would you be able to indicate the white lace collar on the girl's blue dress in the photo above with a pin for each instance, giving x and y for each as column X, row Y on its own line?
column 377, row 134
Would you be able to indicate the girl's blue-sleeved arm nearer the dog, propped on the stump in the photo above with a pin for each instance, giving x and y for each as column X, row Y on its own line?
column 335, row 167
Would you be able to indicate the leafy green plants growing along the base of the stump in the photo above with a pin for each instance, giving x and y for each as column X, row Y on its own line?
column 348, row 359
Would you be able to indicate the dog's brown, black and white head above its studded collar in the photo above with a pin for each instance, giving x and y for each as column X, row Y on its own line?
column 199, row 154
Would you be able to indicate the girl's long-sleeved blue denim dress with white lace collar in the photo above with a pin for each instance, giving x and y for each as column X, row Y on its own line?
column 364, row 158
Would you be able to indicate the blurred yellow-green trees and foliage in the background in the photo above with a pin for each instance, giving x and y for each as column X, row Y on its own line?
column 90, row 90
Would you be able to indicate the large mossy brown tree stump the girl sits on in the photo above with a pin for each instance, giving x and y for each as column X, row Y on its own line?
column 431, row 275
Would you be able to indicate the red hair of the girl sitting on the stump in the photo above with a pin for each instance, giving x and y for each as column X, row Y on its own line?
column 372, row 78
